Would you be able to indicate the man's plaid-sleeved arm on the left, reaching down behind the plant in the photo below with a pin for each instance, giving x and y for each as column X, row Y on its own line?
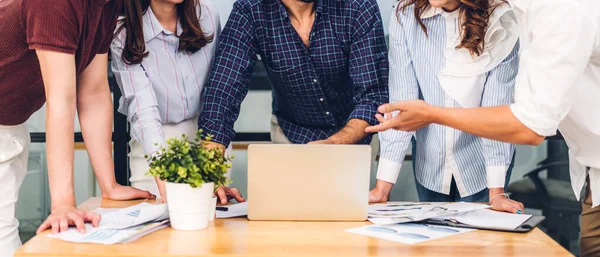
column 229, row 79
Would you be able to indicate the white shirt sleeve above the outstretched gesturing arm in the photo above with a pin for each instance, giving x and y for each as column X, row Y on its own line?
column 558, row 47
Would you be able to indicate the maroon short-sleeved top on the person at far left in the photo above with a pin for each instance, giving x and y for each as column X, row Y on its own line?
column 80, row 27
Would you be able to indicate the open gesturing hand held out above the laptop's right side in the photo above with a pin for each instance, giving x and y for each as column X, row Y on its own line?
column 413, row 115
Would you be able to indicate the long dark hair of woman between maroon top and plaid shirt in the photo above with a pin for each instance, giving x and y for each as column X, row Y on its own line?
column 192, row 37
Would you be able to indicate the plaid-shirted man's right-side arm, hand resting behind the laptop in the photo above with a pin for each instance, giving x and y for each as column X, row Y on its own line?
column 368, row 69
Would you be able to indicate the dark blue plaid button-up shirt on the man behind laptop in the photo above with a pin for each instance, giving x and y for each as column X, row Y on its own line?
column 317, row 90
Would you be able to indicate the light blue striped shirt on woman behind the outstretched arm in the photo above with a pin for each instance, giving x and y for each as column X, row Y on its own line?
column 442, row 153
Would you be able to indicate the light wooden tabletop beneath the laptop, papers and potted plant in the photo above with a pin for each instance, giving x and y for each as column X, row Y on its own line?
column 240, row 237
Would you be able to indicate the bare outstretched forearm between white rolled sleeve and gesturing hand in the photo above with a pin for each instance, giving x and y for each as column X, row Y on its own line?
column 497, row 123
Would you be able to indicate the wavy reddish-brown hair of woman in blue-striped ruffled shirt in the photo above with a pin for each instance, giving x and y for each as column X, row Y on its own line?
column 474, row 14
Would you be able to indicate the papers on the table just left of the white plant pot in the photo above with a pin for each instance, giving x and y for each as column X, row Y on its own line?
column 121, row 225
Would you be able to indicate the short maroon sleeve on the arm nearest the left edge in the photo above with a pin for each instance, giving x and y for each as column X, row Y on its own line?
column 53, row 24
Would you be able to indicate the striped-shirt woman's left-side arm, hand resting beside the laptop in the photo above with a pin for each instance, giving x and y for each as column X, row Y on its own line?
column 403, row 86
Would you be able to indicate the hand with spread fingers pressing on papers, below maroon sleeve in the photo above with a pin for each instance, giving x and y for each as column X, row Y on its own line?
column 64, row 216
